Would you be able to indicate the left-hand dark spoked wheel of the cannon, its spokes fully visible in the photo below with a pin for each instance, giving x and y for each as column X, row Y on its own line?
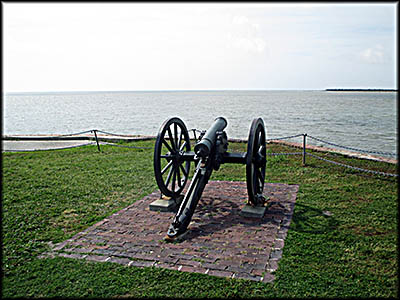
column 170, row 170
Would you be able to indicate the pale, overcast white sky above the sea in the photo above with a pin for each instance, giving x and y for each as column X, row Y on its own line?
column 198, row 46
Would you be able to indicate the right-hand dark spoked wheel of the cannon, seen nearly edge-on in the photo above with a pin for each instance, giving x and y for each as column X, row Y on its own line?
column 256, row 162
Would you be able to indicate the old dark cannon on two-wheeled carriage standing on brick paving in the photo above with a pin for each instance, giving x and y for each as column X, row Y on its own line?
column 173, row 155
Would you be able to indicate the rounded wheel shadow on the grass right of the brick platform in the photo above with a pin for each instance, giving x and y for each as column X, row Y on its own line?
column 312, row 220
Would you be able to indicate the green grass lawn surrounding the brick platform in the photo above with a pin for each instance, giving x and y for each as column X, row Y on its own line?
column 50, row 196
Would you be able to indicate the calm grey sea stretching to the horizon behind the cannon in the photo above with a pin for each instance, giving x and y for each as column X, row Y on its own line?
column 366, row 120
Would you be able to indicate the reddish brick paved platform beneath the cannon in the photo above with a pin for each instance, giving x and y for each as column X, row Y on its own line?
column 219, row 242
